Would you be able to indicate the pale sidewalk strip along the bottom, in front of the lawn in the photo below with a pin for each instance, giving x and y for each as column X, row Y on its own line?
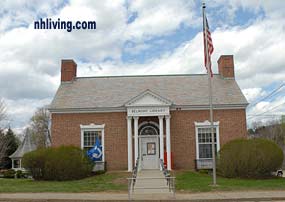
column 108, row 196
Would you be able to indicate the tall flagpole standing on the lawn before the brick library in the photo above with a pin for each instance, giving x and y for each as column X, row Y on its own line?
column 210, row 98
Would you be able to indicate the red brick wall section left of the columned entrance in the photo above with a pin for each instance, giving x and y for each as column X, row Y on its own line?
column 66, row 131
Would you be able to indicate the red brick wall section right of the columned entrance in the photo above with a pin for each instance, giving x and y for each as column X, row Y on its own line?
column 182, row 130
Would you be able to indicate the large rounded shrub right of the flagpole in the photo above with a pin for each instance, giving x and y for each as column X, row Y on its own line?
column 252, row 158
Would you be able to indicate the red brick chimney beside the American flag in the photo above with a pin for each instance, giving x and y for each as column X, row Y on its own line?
column 226, row 66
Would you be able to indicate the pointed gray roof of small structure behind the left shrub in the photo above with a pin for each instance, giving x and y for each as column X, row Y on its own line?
column 26, row 146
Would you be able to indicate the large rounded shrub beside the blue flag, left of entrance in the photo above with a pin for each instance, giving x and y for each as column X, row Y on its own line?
column 61, row 163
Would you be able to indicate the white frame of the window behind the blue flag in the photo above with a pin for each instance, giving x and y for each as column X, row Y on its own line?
column 94, row 127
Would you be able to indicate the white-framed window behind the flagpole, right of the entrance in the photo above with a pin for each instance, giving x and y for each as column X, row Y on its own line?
column 204, row 139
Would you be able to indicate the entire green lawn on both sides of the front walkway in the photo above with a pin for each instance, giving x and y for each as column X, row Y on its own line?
column 186, row 181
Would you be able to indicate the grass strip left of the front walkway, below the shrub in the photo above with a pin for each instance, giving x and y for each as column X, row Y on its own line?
column 113, row 181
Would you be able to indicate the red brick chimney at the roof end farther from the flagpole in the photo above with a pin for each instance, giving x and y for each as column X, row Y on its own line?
column 68, row 70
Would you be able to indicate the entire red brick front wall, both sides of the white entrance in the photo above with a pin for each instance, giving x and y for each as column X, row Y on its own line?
column 66, row 131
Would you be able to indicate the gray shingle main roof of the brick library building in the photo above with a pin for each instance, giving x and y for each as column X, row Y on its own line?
column 115, row 91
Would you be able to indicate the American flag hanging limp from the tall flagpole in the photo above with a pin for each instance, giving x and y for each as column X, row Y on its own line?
column 210, row 48
